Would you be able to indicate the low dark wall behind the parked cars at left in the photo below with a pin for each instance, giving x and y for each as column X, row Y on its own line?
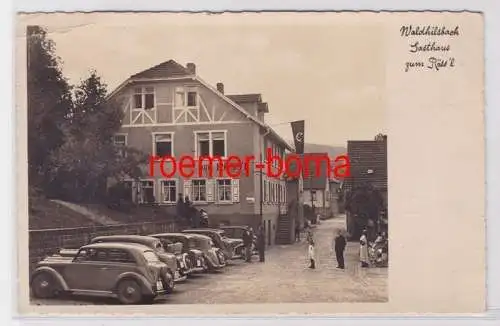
column 47, row 242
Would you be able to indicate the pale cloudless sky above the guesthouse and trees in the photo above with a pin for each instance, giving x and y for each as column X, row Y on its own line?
column 329, row 74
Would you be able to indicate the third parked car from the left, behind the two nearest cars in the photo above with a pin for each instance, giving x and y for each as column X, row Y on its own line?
column 211, row 257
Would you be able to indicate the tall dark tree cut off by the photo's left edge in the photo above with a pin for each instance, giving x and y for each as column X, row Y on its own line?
column 49, row 102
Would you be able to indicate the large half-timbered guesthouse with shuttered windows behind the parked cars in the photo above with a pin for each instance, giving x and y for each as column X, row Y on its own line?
column 171, row 111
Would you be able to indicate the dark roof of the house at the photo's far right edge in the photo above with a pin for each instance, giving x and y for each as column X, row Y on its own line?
column 368, row 160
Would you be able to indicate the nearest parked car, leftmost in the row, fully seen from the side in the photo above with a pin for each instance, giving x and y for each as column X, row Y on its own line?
column 130, row 272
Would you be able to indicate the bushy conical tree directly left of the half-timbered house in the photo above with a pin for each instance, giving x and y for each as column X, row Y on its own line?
column 82, row 166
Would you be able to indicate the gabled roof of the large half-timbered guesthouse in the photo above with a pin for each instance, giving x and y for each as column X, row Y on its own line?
column 171, row 70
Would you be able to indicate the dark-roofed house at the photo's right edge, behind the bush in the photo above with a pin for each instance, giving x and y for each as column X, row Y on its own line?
column 368, row 161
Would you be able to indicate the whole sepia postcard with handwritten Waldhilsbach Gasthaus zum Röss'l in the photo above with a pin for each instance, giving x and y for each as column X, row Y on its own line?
column 249, row 163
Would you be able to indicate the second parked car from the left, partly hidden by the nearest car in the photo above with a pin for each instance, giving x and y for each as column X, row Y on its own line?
column 176, row 264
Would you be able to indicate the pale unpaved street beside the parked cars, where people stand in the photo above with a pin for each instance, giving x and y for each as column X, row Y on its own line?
column 282, row 278
